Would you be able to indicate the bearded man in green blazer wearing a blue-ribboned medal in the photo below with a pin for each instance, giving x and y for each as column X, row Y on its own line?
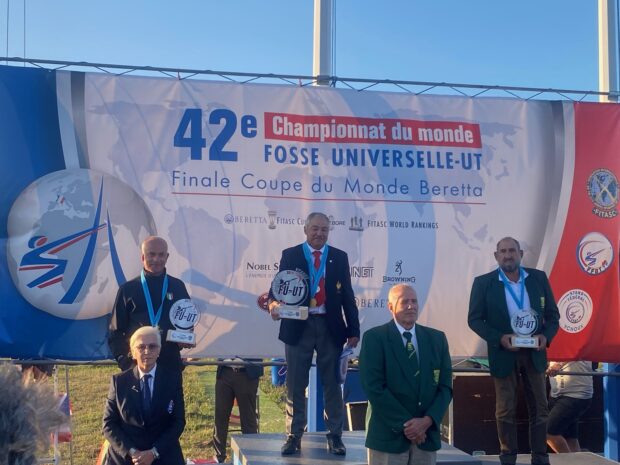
column 497, row 298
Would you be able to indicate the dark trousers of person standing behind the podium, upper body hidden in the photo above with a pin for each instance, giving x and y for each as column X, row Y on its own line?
column 231, row 385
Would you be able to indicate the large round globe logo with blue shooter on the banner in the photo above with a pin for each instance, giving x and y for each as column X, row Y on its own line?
column 74, row 236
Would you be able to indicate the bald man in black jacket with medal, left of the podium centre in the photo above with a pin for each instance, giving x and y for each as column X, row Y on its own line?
column 146, row 301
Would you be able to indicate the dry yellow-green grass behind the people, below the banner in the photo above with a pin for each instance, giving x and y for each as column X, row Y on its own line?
column 88, row 387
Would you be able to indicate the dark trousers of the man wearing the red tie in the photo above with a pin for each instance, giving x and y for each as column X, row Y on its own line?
column 316, row 337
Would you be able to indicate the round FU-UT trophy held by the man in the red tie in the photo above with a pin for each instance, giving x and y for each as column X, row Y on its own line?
column 290, row 288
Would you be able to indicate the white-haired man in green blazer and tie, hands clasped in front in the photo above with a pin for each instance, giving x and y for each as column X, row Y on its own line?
column 406, row 373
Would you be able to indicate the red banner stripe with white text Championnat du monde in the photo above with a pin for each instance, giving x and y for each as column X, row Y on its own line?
column 349, row 129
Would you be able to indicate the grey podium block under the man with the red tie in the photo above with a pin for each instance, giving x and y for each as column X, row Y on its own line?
column 264, row 449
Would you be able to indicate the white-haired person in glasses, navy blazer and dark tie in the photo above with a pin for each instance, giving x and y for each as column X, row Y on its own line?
column 145, row 413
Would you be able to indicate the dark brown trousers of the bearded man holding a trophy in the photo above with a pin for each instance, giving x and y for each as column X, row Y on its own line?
column 506, row 408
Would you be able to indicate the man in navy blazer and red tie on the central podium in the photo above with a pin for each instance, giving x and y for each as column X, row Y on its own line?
column 332, row 321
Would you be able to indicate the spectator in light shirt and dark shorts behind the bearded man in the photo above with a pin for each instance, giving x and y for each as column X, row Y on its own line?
column 570, row 397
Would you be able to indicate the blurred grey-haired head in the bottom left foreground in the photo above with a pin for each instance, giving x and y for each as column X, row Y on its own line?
column 28, row 415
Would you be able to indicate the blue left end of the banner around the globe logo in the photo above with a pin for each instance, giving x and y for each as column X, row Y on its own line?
column 30, row 147
